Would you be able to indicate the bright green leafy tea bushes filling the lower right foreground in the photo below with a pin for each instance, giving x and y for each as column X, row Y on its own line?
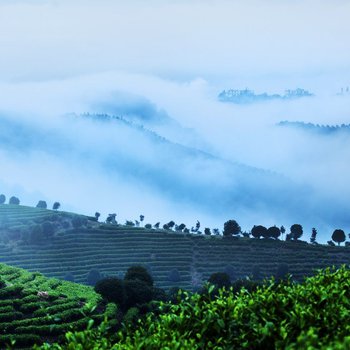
column 285, row 315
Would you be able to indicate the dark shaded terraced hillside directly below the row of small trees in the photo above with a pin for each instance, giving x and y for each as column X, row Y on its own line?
column 111, row 249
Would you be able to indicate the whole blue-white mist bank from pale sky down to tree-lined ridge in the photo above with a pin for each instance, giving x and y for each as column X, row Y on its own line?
column 171, row 151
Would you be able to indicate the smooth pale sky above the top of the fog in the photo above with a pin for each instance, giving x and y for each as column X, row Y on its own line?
column 53, row 39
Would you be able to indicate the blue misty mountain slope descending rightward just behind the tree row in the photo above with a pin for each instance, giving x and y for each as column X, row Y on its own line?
column 109, row 164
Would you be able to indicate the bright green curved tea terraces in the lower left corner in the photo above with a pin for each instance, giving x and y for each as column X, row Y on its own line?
column 34, row 308
